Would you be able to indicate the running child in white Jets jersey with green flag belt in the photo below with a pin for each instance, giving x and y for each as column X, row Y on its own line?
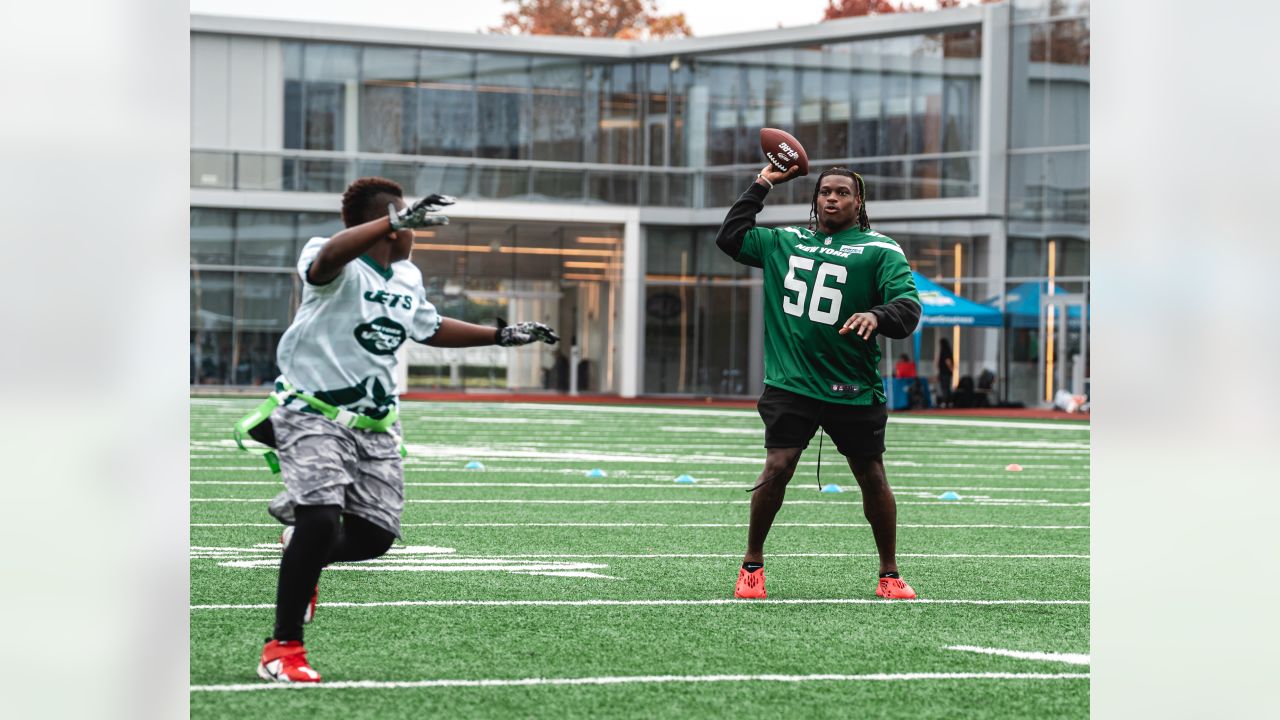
column 337, row 432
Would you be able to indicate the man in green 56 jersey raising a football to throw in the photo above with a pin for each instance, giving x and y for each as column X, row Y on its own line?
column 829, row 290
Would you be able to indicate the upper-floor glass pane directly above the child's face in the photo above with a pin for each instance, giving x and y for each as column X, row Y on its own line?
column 388, row 101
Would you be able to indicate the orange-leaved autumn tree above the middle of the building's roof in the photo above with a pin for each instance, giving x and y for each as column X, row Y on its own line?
column 625, row 20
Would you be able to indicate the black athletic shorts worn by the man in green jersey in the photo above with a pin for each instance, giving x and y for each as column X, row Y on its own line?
column 790, row 421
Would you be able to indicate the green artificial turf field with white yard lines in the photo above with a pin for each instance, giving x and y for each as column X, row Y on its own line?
column 531, row 590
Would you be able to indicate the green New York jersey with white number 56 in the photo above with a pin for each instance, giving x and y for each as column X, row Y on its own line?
column 813, row 284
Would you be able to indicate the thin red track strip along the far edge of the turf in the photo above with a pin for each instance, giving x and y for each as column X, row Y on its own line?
column 1012, row 413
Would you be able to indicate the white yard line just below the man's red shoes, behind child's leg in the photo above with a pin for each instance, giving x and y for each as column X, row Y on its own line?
column 646, row 603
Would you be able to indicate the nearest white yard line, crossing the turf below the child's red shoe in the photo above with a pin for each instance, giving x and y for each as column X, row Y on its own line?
column 637, row 680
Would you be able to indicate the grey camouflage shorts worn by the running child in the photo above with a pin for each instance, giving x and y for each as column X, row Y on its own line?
column 323, row 463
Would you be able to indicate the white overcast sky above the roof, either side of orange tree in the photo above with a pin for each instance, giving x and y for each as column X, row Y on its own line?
column 706, row 17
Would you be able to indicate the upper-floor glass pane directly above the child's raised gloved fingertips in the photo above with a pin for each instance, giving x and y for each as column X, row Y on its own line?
column 447, row 104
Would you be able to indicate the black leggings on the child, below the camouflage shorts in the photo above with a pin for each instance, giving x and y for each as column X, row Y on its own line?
column 322, row 535
